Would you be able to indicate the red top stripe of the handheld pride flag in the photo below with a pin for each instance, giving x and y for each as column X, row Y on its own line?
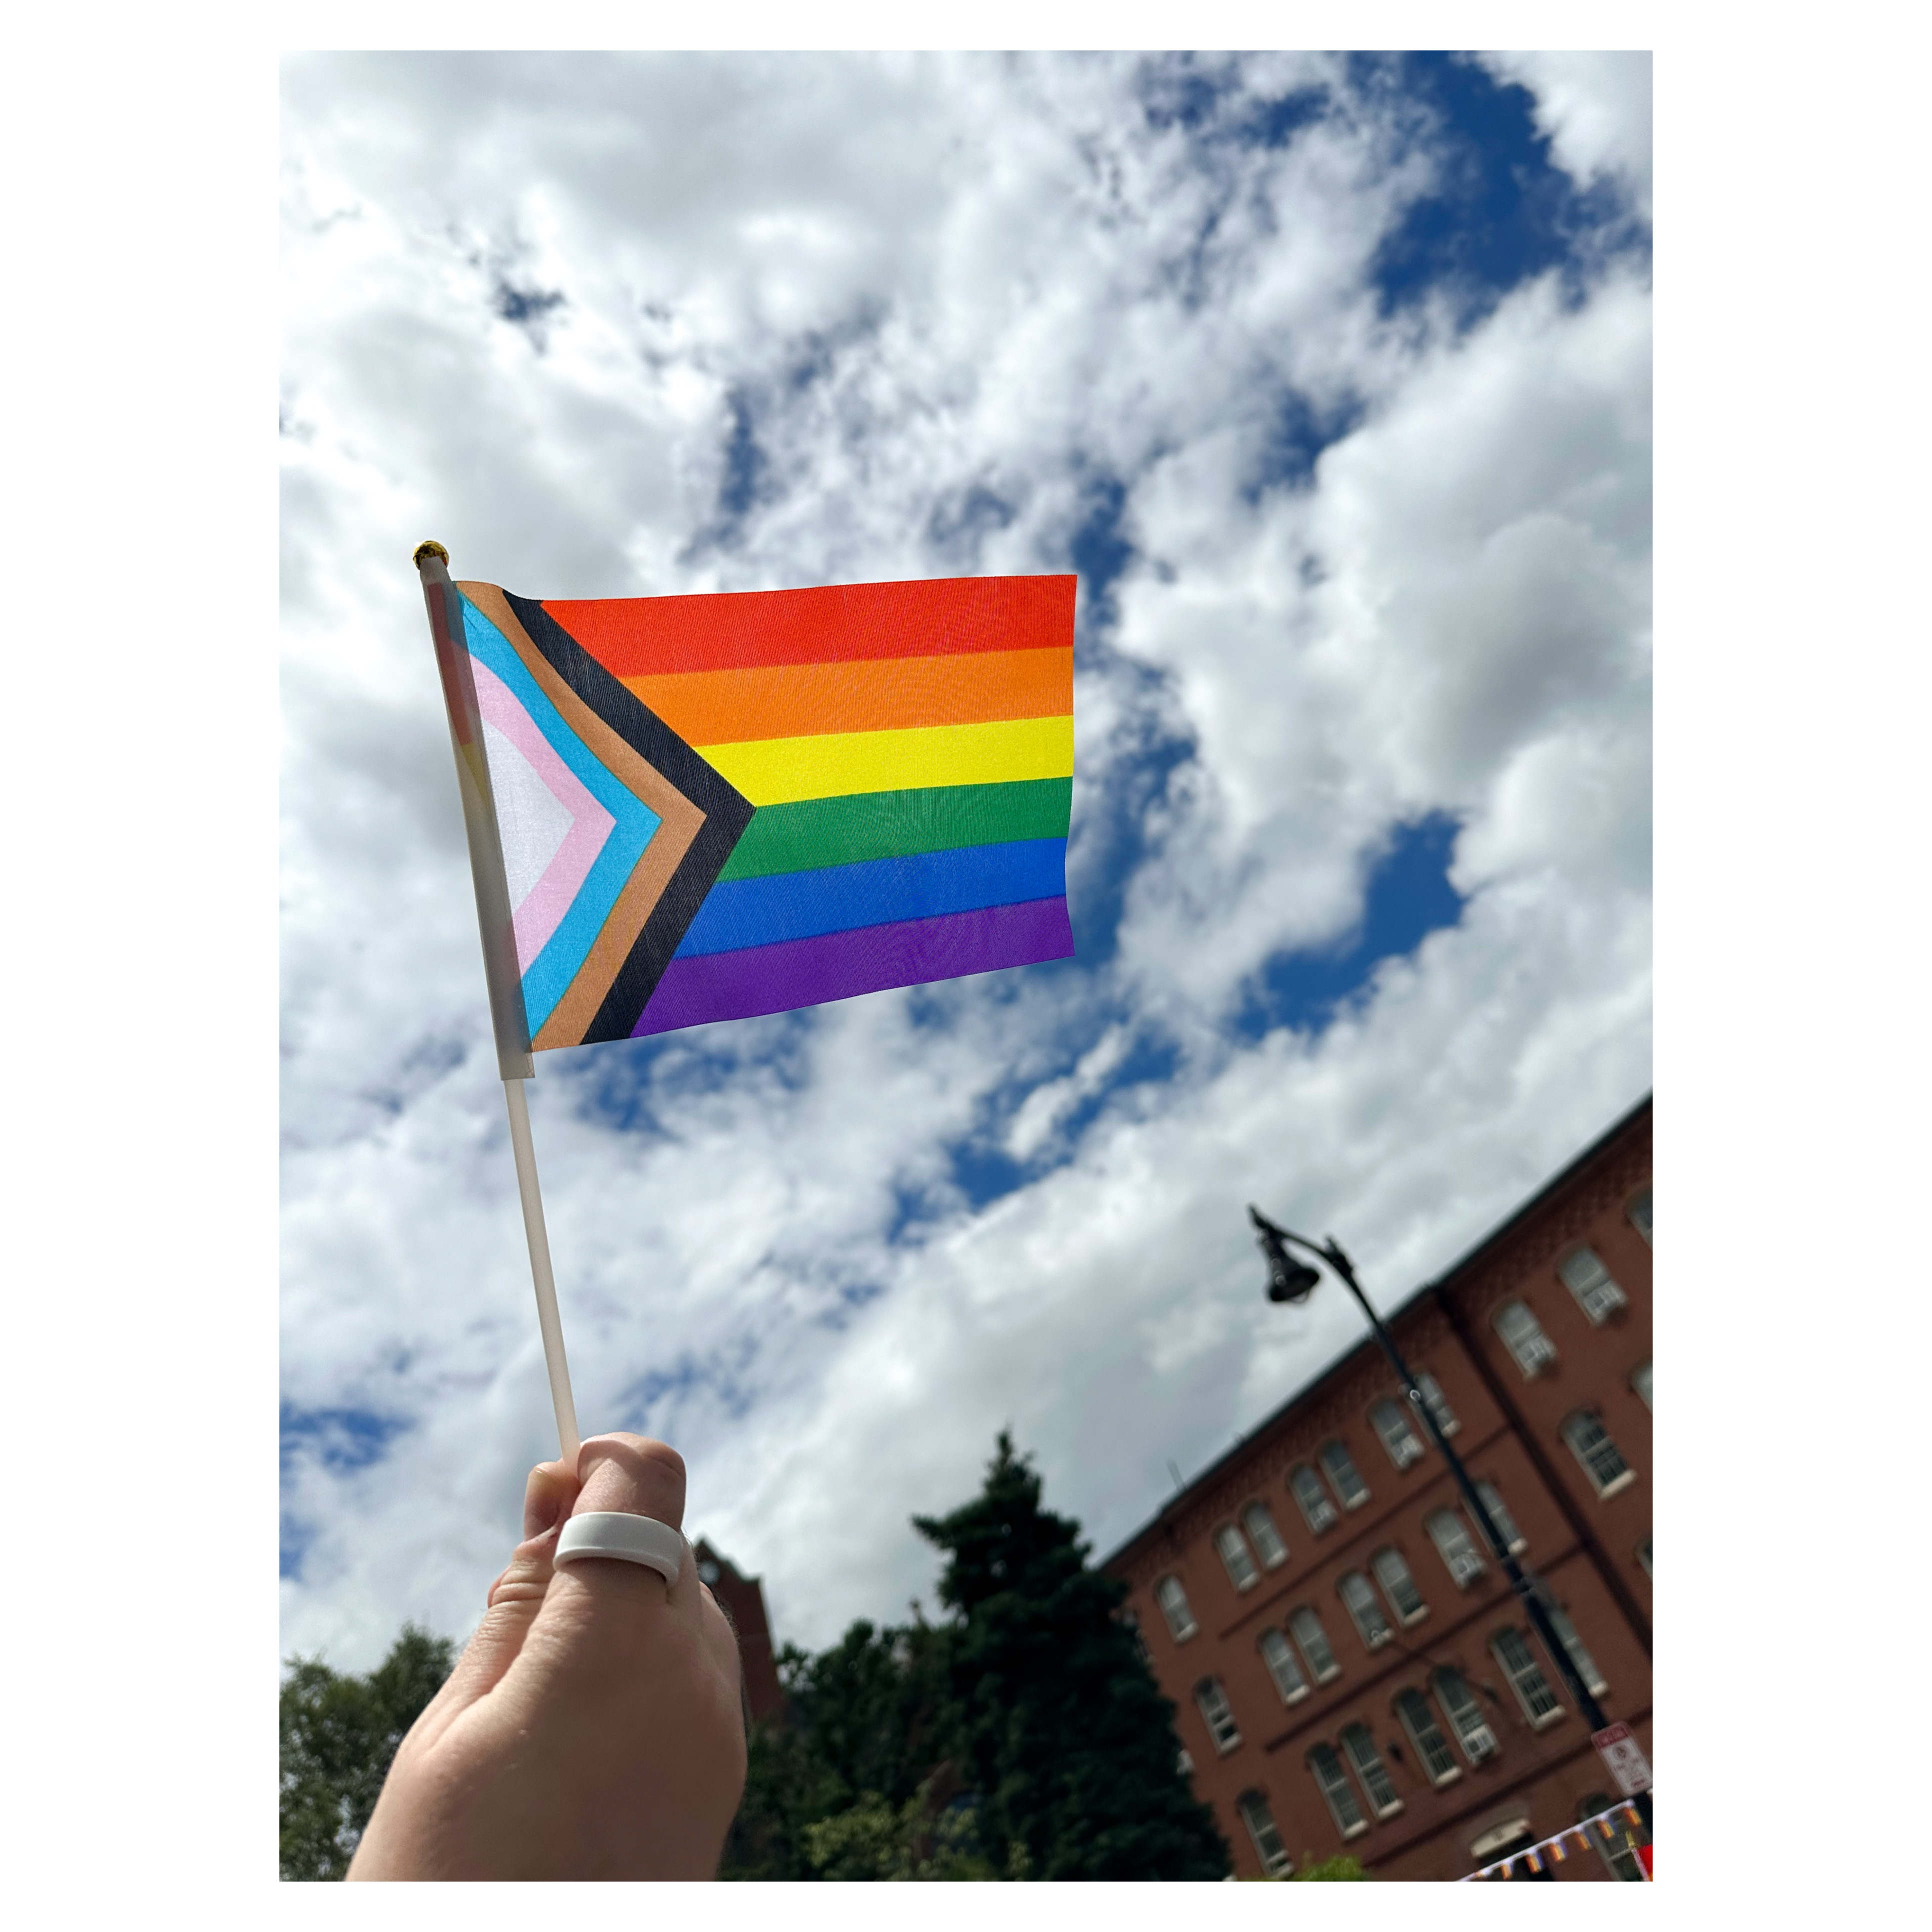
column 839, row 623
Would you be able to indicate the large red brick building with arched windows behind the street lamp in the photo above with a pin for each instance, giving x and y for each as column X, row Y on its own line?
column 1350, row 1666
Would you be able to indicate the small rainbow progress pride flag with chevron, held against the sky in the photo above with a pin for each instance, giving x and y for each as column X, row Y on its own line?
column 706, row 809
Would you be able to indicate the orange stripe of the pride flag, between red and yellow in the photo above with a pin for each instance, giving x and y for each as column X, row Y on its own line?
column 872, row 695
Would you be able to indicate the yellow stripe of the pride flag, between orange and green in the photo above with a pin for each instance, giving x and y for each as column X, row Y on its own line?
column 780, row 772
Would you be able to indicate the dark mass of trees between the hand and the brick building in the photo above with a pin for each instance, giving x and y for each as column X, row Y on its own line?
column 1023, row 1738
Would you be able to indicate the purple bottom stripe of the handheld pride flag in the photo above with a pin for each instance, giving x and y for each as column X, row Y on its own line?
column 805, row 973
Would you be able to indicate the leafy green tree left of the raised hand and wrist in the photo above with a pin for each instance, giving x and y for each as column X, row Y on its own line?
column 339, row 1738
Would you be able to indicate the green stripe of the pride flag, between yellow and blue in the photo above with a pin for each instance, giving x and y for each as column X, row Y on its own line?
column 839, row 832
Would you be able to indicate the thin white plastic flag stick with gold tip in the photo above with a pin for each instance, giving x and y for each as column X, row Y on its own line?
column 499, row 961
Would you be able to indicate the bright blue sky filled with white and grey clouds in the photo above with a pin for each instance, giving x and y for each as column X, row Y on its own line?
column 1332, row 382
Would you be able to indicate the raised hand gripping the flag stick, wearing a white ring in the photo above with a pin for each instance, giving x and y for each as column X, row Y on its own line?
column 594, row 1726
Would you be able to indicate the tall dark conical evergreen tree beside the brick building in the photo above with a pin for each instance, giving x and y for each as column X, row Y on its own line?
column 1058, row 1722
